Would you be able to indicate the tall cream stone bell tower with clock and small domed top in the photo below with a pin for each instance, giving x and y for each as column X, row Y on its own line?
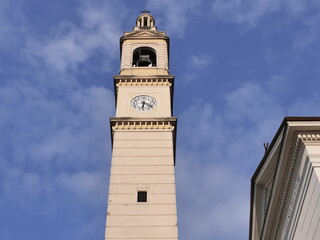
column 142, row 196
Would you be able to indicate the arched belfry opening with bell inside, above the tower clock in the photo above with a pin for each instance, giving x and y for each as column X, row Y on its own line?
column 144, row 57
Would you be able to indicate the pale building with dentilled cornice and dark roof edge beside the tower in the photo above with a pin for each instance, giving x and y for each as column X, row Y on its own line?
column 285, row 188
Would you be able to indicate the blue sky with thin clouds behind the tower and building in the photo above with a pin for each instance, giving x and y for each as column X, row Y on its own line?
column 240, row 67
